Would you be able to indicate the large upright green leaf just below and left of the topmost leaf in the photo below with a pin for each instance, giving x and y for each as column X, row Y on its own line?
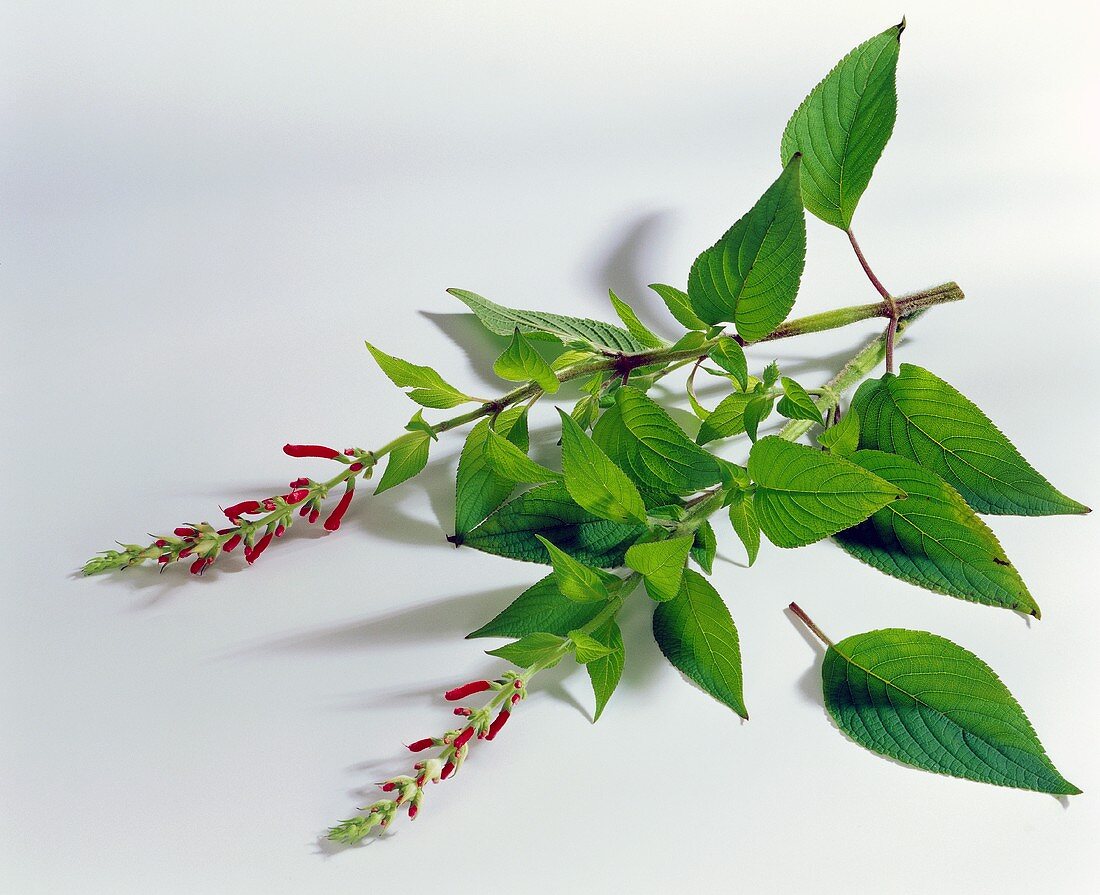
column 751, row 277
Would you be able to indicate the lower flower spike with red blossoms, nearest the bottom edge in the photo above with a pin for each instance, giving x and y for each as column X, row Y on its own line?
column 409, row 791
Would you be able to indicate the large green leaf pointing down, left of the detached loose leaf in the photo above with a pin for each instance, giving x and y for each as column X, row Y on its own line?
column 697, row 635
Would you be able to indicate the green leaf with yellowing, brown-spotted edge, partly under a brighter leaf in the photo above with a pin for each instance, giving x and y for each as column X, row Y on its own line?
column 934, row 540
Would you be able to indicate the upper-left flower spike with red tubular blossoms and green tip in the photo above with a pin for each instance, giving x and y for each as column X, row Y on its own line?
column 202, row 544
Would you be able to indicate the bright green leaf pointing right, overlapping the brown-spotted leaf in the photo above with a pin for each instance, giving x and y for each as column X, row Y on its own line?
column 805, row 495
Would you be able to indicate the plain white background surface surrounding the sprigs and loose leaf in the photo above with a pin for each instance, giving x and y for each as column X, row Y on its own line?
column 207, row 208
